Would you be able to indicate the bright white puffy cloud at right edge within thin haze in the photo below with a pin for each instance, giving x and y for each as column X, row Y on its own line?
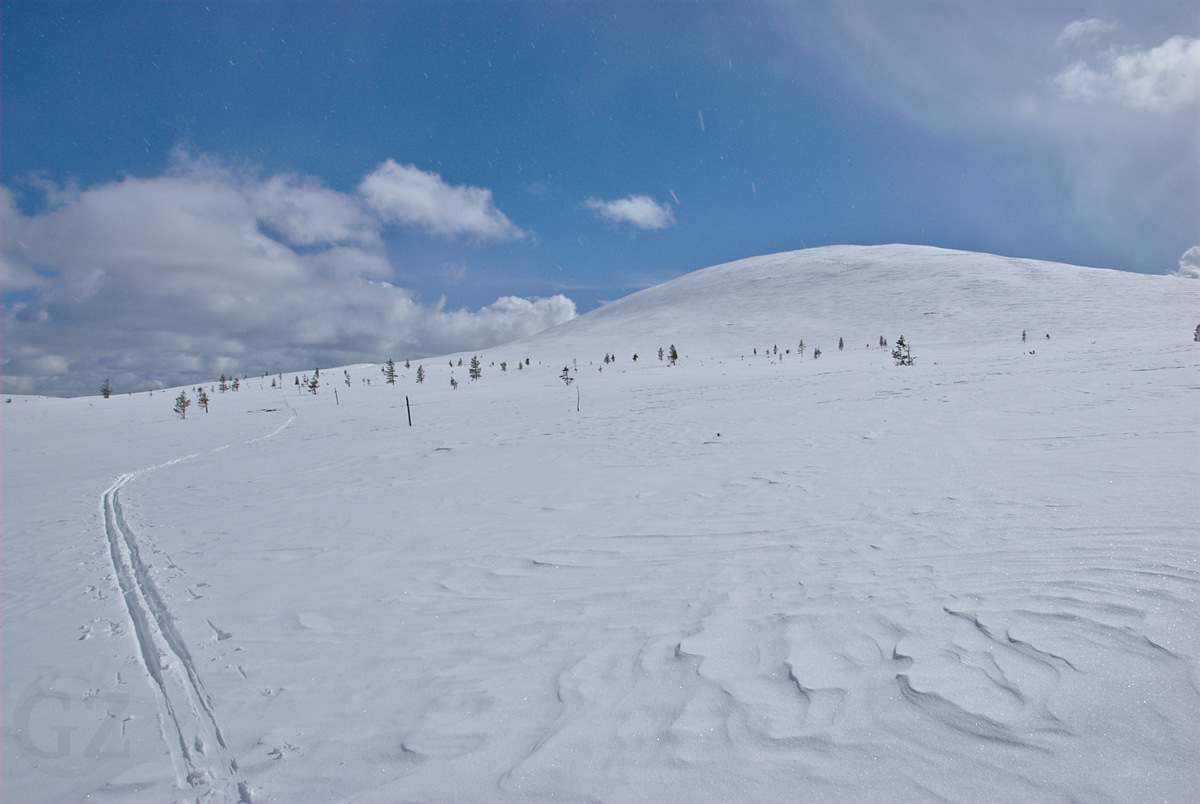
column 1161, row 80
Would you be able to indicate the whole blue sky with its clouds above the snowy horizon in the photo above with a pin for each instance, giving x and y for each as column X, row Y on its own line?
column 193, row 189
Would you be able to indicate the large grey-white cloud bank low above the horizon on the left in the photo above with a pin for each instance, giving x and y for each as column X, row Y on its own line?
column 206, row 271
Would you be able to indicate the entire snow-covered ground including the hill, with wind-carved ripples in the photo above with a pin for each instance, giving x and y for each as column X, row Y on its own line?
column 741, row 578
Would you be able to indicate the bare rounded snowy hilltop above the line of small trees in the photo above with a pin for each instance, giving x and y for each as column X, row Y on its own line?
column 860, row 293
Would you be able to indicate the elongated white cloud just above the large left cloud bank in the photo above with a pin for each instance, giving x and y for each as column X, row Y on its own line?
column 404, row 194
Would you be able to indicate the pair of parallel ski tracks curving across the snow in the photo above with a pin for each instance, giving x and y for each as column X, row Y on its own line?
column 188, row 717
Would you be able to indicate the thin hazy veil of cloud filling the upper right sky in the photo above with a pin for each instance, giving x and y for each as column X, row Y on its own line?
column 1109, row 109
